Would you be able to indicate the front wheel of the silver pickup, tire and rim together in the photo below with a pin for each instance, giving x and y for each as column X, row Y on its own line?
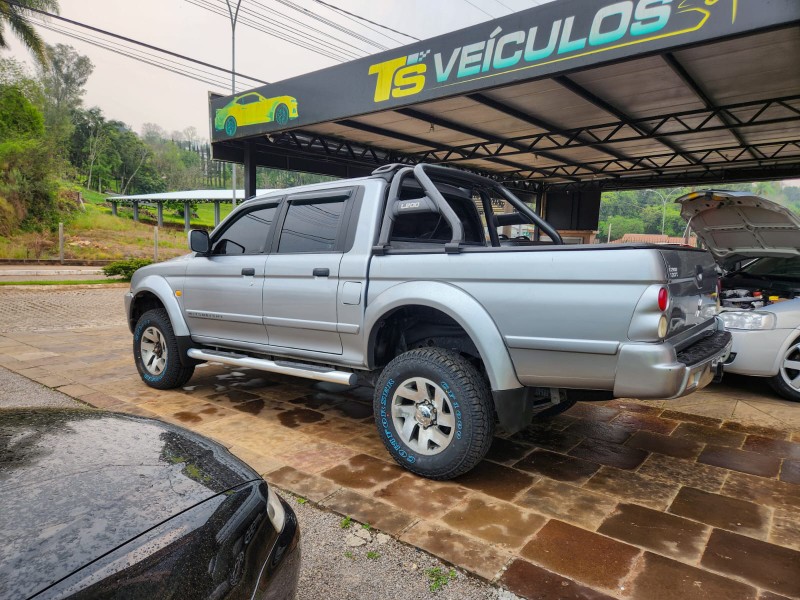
column 155, row 350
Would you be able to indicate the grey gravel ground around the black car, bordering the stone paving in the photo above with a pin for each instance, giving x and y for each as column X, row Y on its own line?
column 328, row 571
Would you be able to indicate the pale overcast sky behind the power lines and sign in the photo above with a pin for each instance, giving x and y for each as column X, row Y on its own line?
column 136, row 93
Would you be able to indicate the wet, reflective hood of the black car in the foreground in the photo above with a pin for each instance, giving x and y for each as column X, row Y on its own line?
column 75, row 484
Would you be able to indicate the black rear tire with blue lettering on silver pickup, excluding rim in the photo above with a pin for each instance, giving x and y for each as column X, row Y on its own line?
column 467, row 392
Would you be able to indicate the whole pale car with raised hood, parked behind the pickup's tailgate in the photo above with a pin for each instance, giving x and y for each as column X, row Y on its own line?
column 757, row 244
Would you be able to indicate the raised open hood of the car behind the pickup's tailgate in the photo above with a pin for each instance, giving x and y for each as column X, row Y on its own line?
column 738, row 225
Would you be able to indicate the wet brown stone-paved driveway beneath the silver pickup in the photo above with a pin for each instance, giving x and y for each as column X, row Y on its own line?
column 698, row 498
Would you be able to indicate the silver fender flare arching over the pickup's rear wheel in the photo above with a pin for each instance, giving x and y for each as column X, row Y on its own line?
column 463, row 309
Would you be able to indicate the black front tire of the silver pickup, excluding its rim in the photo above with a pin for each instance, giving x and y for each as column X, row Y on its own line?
column 174, row 374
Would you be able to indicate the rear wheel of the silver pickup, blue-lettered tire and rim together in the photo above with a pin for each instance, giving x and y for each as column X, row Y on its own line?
column 434, row 413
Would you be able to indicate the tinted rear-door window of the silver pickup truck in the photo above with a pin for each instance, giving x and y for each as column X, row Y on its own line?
column 311, row 227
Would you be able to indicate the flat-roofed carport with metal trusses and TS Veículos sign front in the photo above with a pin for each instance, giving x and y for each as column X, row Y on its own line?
column 574, row 95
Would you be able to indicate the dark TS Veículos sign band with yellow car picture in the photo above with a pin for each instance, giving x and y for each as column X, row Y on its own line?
column 541, row 41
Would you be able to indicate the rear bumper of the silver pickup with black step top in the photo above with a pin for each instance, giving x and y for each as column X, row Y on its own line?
column 658, row 371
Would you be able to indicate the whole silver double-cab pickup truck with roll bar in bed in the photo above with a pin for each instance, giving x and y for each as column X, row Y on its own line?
column 412, row 280
